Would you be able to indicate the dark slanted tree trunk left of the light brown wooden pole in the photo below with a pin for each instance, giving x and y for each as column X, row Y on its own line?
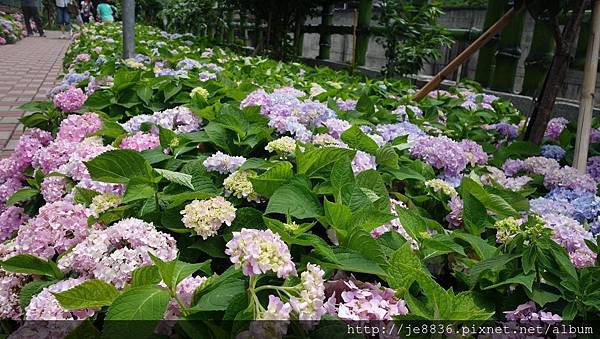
column 556, row 74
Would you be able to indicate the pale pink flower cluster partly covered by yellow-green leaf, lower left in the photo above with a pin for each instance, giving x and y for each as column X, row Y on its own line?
column 44, row 306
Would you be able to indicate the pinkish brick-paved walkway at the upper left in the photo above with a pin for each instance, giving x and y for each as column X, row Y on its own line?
column 28, row 69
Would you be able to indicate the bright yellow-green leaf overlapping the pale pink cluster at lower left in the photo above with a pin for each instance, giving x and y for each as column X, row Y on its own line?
column 89, row 294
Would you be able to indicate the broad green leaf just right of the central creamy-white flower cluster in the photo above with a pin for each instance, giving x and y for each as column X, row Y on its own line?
column 296, row 200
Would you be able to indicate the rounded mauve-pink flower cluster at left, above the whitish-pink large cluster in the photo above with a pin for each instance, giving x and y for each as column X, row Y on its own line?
column 58, row 226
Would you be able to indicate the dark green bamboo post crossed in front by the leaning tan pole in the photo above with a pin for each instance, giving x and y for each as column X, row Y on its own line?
column 485, row 61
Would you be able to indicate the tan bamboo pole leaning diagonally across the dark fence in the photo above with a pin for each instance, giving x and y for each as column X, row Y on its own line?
column 468, row 52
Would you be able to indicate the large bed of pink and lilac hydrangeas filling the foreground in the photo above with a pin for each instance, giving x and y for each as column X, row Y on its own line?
column 193, row 183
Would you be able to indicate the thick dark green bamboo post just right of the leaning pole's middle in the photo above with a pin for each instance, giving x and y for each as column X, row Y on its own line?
column 509, row 53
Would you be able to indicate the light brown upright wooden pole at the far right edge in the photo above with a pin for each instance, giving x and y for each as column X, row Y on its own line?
column 584, row 123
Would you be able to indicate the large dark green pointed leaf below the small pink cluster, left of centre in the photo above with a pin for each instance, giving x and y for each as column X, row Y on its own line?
column 118, row 166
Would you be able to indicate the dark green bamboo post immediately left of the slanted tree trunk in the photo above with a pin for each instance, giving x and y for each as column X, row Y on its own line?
column 539, row 58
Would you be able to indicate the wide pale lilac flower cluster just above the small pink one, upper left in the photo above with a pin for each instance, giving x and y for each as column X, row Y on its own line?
column 179, row 119
